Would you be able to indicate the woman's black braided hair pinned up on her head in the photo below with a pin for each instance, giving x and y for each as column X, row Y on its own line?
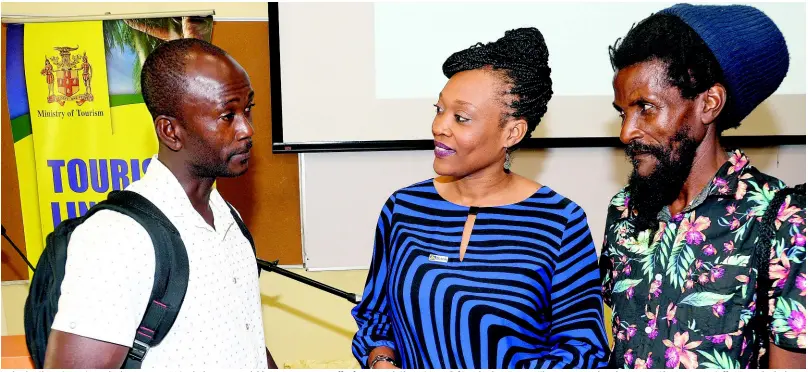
column 520, row 58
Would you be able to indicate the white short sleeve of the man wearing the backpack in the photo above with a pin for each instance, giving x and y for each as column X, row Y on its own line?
column 108, row 279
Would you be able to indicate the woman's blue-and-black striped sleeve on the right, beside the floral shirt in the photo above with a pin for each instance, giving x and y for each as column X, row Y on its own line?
column 577, row 330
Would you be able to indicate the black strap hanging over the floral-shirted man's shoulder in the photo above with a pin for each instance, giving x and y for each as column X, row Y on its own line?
column 762, row 256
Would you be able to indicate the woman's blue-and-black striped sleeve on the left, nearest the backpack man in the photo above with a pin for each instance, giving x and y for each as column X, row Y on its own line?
column 371, row 314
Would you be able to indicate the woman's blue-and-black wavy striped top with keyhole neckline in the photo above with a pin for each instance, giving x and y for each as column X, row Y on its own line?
column 526, row 295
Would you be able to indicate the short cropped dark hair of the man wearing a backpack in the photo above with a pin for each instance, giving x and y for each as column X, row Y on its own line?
column 163, row 79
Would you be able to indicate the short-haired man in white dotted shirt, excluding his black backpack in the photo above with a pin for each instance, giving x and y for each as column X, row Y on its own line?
column 201, row 100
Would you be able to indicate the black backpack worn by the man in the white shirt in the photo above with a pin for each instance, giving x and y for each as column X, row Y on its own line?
column 170, row 276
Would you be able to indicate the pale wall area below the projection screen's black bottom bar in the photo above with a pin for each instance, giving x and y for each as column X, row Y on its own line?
column 343, row 193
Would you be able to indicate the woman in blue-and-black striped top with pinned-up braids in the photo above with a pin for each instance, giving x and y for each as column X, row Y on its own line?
column 480, row 267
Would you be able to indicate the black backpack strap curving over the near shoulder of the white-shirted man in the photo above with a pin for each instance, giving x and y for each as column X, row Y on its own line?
column 170, row 276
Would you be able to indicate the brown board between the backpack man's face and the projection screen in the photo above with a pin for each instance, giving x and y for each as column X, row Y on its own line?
column 268, row 196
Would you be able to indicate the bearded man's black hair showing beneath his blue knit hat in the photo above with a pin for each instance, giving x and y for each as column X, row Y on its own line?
column 692, row 66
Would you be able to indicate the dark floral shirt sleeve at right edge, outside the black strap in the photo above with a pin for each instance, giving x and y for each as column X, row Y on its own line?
column 787, row 271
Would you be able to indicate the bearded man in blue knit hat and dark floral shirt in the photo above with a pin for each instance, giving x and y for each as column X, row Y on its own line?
column 684, row 242
